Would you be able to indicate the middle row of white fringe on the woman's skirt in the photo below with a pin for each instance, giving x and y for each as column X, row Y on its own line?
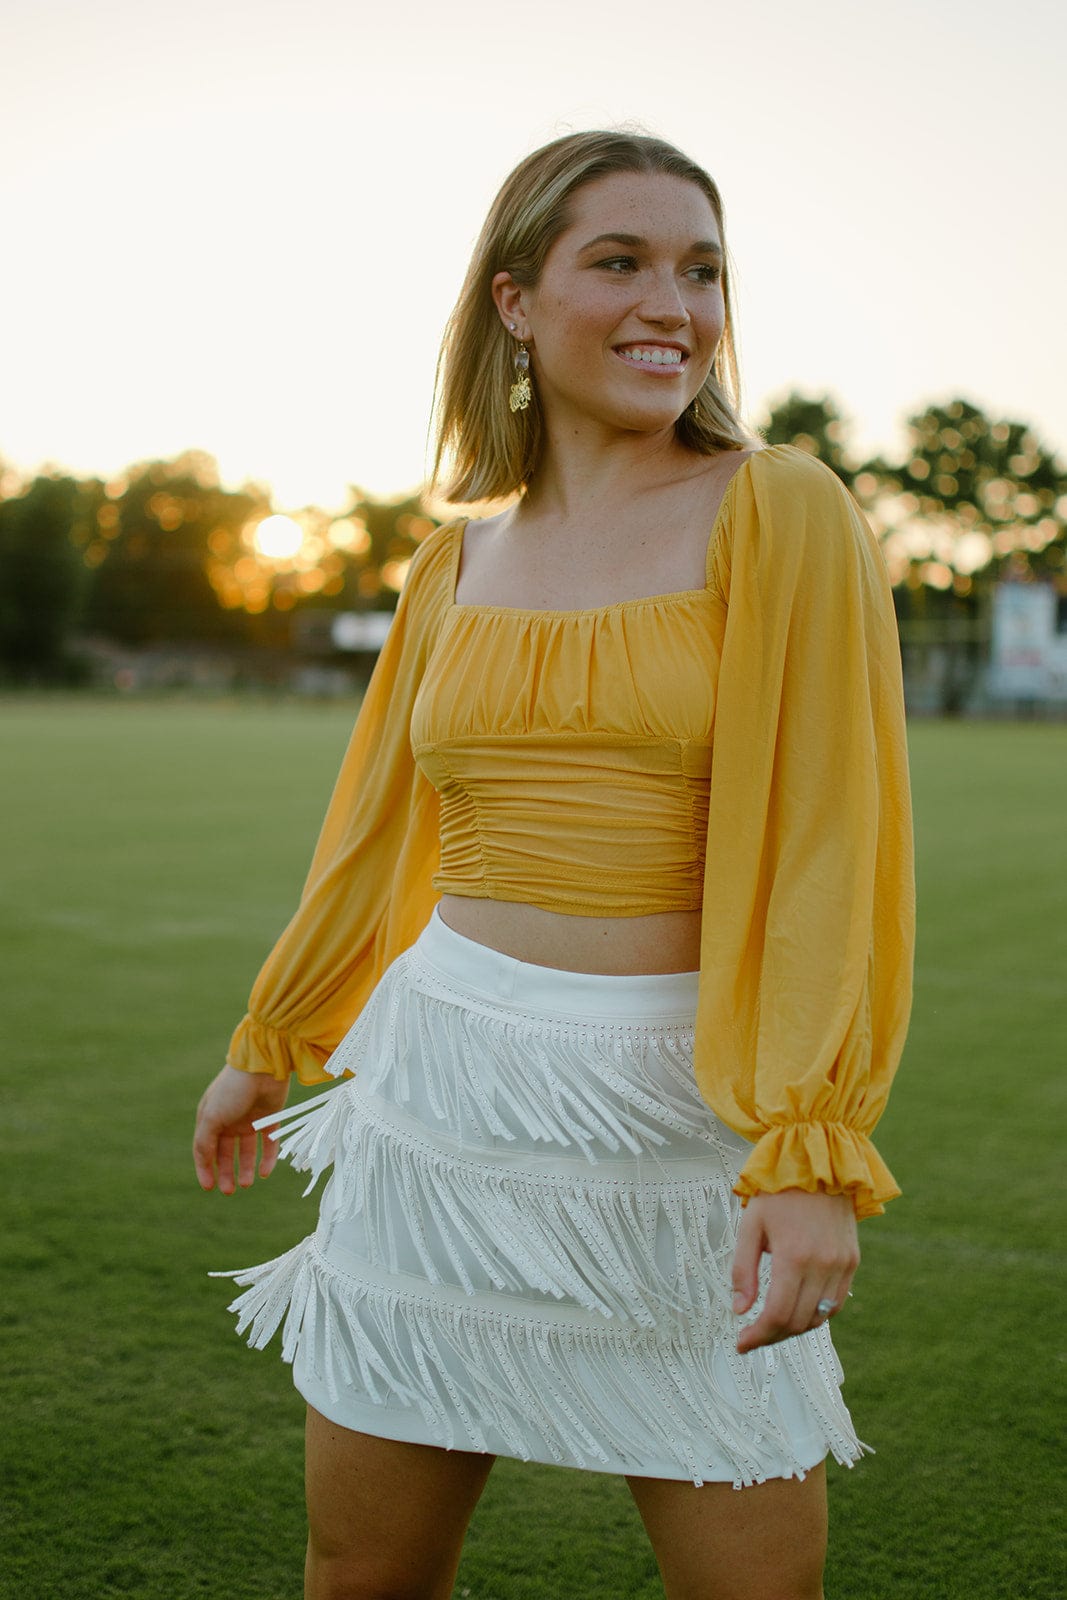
column 526, row 1226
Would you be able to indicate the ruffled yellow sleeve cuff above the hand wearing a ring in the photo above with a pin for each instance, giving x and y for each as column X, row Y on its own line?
column 820, row 1156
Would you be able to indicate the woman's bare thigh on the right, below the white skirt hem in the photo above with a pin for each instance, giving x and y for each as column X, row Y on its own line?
column 717, row 1543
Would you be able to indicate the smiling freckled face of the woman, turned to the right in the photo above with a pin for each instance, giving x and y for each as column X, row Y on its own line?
column 629, row 311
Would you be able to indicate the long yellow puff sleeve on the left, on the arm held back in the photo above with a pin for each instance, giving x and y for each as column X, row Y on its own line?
column 369, row 892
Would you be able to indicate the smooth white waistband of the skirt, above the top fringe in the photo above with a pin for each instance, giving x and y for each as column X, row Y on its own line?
column 492, row 975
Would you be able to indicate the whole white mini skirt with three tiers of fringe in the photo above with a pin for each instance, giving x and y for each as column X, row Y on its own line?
column 527, row 1236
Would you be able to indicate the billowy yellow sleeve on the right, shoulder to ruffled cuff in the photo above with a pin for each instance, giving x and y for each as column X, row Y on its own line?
column 809, row 897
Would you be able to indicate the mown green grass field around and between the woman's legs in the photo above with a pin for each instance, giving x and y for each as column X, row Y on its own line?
column 151, row 852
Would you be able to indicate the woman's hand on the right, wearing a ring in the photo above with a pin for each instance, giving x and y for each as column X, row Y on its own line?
column 813, row 1247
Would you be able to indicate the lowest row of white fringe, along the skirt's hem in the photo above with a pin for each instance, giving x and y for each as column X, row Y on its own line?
column 543, row 1385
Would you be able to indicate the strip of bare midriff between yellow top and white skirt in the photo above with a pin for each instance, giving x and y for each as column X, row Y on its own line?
column 668, row 942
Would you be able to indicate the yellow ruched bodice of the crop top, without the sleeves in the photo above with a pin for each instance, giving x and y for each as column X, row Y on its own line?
column 572, row 754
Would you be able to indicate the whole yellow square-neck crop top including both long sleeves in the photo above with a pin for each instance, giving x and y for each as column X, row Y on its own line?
column 807, row 886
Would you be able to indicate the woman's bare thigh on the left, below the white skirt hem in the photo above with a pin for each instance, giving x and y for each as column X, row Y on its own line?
column 386, row 1518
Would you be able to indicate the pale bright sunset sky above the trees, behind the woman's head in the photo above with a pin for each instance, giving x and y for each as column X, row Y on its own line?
column 241, row 225
